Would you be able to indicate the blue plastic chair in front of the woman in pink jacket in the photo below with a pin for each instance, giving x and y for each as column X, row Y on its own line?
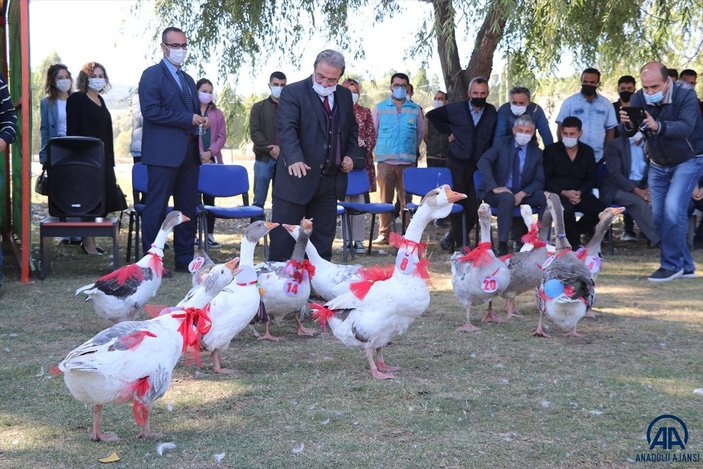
column 225, row 180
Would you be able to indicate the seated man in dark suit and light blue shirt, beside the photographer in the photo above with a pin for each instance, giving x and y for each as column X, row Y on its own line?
column 625, row 181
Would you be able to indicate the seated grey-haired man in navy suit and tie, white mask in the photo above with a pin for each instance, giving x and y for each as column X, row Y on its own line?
column 512, row 174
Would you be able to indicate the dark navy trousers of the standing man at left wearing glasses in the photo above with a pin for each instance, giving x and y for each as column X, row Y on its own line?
column 182, row 183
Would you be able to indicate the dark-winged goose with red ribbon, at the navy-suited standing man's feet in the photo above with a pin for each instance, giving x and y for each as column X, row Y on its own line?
column 120, row 295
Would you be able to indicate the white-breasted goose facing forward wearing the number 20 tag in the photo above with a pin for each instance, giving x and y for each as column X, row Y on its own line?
column 479, row 276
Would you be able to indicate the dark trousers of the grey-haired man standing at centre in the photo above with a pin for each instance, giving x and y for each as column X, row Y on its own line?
column 322, row 209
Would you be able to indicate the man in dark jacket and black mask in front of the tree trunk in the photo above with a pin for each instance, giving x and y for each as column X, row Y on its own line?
column 470, row 125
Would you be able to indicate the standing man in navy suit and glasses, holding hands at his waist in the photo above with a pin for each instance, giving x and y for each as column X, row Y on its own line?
column 168, row 101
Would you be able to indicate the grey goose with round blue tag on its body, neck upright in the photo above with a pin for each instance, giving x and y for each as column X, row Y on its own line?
column 567, row 290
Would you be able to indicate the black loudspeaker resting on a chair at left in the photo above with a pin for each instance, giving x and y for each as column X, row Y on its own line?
column 76, row 177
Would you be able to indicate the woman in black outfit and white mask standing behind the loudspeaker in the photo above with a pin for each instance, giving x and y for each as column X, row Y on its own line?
column 87, row 115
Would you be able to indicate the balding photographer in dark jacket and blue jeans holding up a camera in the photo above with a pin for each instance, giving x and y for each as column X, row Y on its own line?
column 673, row 130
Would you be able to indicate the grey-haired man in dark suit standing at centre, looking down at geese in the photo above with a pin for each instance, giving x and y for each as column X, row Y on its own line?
column 318, row 138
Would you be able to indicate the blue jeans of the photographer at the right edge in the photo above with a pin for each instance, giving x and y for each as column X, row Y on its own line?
column 670, row 189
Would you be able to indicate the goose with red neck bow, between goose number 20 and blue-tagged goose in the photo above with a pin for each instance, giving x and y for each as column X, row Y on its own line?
column 526, row 266
